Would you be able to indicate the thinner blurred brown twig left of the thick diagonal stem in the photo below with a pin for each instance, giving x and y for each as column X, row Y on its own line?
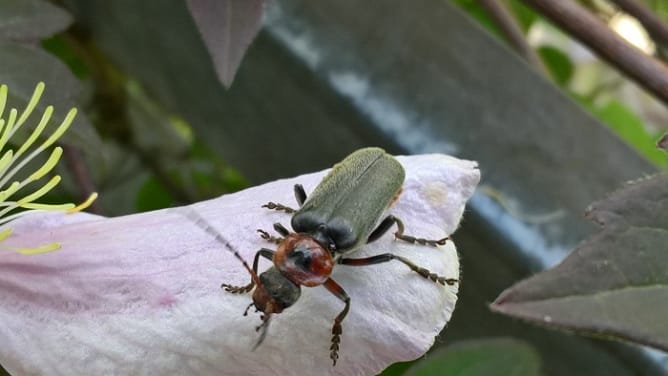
column 511, row 30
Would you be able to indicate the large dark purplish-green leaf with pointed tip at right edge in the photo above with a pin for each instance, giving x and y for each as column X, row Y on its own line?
column 616, row 283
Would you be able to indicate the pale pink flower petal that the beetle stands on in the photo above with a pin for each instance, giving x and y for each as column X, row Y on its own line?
column 141, row 294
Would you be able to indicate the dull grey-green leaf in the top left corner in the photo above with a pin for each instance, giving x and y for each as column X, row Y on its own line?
column 31, row 20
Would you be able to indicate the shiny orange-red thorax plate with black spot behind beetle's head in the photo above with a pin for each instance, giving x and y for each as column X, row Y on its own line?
column 303, row 260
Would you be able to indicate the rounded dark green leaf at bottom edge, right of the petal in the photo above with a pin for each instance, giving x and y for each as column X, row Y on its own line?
column 499, row 356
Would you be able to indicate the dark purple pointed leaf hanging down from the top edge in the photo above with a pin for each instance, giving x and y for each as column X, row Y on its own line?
column 227, row 27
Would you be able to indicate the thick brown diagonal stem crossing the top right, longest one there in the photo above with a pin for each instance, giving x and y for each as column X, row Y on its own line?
column 645, row 70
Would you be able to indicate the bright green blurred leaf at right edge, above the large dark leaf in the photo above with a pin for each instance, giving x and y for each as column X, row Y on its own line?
column 630, row 128
